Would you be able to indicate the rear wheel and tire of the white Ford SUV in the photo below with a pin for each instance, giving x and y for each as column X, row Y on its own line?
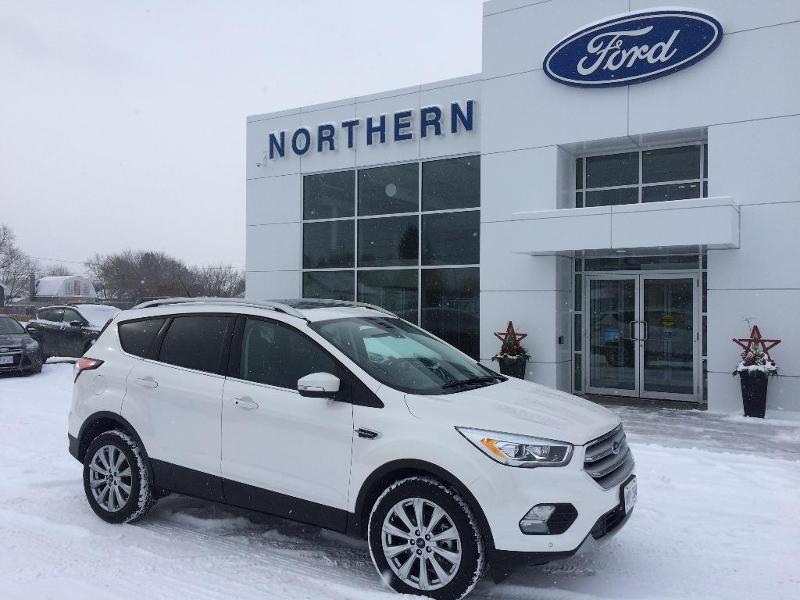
column 124, row 493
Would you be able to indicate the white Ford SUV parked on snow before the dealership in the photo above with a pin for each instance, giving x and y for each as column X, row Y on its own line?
column 344, row 416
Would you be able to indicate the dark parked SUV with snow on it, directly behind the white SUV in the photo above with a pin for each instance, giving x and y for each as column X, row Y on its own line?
column 69, row 330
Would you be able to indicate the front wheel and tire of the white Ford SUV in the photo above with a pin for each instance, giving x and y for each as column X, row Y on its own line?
column 452, row 565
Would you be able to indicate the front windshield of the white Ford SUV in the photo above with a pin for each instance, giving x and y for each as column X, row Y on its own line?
column 405, row 357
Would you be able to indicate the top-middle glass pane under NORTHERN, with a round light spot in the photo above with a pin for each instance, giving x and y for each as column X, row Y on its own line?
column 388, row 190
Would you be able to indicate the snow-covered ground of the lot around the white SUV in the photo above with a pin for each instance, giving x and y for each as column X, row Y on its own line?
column 717, row 518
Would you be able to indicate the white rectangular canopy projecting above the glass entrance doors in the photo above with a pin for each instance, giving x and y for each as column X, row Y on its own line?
column 709, row 222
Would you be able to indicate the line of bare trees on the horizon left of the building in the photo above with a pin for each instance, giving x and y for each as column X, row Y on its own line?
column 124, row 276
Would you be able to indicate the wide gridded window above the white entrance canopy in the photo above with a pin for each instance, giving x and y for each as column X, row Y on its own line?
column 656, row 175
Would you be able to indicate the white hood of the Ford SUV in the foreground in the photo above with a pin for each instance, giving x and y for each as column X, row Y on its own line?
column 520, row 407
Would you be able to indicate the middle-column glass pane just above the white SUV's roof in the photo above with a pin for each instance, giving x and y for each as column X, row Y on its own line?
column 395, row 290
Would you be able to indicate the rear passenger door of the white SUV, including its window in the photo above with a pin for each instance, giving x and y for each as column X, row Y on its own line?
column 174, row 401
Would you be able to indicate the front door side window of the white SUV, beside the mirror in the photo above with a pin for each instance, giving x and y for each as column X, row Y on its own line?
column 278, row 355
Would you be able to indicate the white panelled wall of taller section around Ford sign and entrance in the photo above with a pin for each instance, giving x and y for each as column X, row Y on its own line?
column 746, row 94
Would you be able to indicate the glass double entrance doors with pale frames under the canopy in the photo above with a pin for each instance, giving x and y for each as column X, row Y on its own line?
column 642, row 335
